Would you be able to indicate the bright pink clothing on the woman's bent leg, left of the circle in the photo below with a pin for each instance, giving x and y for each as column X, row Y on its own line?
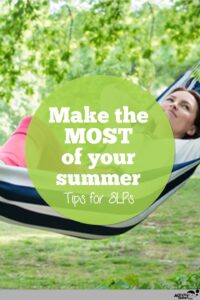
column 13, row 151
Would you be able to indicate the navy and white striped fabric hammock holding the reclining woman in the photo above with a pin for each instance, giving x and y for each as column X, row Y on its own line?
column 21, row 204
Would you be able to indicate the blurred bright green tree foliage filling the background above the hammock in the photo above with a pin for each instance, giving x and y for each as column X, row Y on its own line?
column 43, row 42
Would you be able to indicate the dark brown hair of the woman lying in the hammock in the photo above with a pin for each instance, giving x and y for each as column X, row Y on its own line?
column 197, row 119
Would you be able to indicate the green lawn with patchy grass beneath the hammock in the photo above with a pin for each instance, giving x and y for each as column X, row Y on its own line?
column 162, row 252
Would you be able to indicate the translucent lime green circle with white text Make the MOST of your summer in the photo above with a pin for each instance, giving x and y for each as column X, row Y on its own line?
column 99, row 150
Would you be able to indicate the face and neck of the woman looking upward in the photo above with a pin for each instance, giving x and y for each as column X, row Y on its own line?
column 181, row 109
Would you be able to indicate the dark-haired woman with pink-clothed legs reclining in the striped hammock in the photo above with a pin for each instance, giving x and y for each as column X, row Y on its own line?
column 182, row 108
